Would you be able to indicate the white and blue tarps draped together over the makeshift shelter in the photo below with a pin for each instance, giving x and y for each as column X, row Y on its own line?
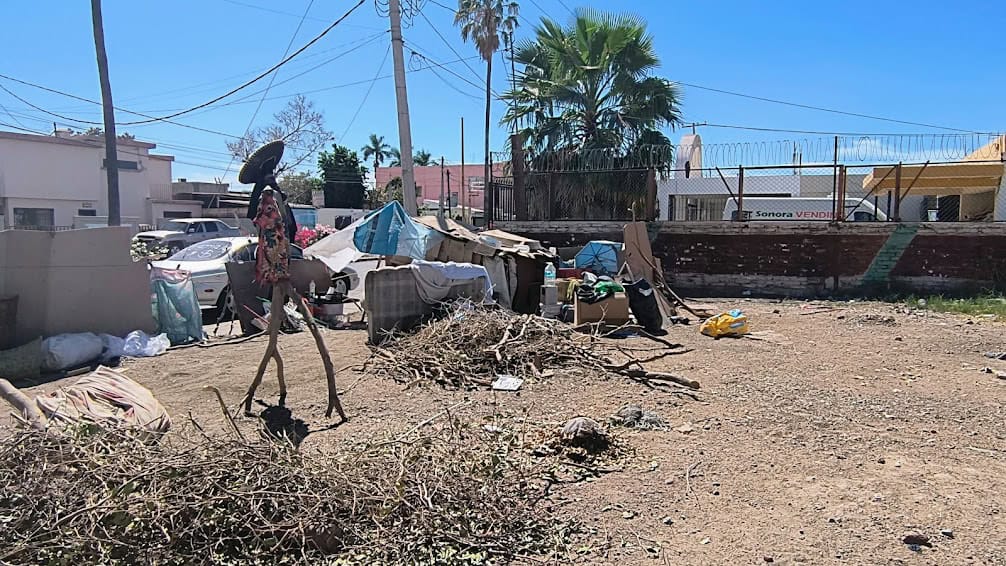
column 386, row 232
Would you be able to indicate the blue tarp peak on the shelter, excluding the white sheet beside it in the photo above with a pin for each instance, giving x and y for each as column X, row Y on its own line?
column 391, row 232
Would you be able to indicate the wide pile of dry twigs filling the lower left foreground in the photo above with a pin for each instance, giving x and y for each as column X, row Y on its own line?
column 451, row 497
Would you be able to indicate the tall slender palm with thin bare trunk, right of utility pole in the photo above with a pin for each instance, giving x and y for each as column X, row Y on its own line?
column 483, row 23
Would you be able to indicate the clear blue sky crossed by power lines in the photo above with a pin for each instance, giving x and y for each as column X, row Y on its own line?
column 933, row 63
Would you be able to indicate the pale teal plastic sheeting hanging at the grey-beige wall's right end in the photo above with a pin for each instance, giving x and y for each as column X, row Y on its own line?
column 176, row 307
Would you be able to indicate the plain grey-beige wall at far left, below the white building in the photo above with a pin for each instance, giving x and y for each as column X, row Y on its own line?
column 78, row 281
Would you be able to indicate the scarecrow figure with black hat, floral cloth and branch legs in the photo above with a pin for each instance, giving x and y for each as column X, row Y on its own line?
column 275, row 221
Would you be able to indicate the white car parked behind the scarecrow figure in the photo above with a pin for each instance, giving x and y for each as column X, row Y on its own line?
column 207, row 262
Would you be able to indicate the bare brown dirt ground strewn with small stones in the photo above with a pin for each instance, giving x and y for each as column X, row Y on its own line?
column 848, row 427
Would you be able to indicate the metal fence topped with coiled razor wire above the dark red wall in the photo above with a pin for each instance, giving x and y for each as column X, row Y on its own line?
column 946, row 192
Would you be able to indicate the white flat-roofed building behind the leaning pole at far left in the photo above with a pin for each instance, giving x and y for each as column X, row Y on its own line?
column 53, row 182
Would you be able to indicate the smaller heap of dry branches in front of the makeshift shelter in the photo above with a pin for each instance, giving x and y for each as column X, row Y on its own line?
column 470, row 345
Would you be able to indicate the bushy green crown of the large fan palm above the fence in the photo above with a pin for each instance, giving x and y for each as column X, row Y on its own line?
column 590, row 85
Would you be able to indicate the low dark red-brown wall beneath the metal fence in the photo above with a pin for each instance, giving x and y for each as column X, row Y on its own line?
column 805, row 260
